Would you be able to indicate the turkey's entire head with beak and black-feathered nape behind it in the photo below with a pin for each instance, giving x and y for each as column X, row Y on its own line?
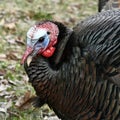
column 42, row 39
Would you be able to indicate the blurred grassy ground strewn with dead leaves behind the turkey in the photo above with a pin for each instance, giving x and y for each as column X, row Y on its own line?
column 16, row 17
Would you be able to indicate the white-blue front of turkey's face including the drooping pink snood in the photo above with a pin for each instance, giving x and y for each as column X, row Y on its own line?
column 37, row 41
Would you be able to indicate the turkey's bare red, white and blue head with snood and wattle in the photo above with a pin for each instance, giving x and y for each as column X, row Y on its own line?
column 41, row 39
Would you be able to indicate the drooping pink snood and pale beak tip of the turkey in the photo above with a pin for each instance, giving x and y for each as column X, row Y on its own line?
column 27, row 56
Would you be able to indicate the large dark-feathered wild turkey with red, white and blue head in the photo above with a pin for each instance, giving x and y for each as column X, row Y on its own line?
column 77, row 72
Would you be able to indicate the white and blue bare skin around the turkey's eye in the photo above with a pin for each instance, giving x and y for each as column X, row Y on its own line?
column 39, row 41
